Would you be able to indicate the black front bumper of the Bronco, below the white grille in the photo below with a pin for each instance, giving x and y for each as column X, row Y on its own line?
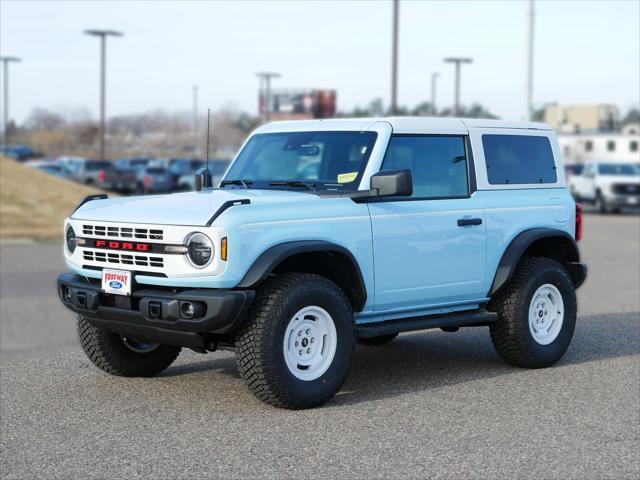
column 156, row 315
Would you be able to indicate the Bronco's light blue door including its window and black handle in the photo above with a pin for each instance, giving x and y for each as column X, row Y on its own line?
column 429, row 248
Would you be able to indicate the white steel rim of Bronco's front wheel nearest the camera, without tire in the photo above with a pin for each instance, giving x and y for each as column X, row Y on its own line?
column 310, row 342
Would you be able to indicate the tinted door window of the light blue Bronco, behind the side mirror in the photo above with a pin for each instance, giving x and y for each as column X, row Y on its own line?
column 438, row 164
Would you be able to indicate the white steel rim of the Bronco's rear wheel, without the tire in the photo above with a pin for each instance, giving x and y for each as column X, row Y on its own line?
column 546, row 314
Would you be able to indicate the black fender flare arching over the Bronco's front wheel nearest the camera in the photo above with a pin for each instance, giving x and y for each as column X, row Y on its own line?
column 268, row 260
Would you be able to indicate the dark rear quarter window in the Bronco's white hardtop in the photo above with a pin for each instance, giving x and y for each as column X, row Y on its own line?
column 518, row 159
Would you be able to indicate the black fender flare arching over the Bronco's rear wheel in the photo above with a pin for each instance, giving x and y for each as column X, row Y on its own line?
column 522, row 242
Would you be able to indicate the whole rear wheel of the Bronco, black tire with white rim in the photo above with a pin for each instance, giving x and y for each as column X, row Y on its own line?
column 536, row 314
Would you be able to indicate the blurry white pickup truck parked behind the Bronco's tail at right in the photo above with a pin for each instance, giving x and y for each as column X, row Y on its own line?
column 610, row 186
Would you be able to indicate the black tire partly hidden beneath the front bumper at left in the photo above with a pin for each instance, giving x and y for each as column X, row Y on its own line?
column 107, row 351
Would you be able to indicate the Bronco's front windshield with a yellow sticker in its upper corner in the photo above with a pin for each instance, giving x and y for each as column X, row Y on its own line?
column 323, row 160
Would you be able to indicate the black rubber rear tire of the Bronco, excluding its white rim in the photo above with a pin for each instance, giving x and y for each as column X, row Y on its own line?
column 511, row 335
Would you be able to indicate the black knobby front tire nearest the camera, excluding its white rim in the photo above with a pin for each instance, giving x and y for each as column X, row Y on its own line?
column 259, row 343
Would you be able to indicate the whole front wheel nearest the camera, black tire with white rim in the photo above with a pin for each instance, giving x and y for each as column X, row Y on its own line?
column 295, row 349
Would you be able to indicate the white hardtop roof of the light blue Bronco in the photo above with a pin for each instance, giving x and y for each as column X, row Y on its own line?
column 407, row 125
